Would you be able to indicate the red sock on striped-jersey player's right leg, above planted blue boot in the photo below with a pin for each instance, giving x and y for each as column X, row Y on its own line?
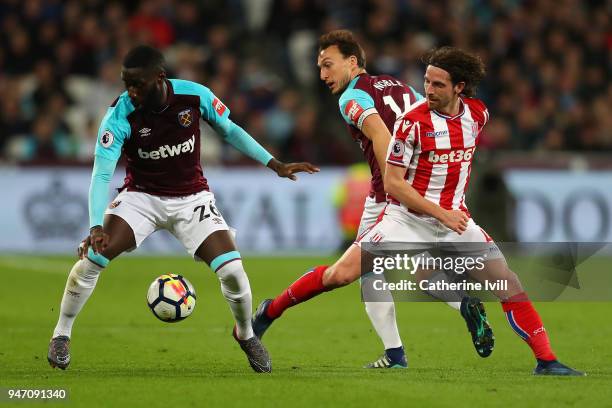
column 526, row 322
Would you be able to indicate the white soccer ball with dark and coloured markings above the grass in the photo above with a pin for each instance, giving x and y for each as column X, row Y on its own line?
column 171, row 298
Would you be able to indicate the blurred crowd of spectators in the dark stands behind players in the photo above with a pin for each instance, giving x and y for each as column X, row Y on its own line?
column 548, row 85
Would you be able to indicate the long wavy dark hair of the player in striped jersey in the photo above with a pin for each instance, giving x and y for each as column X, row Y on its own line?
column 461, row 66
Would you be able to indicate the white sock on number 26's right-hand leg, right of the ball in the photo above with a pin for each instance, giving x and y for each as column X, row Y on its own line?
column 237, row 291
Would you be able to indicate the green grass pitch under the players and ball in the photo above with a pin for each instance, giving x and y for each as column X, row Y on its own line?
column 123, row 356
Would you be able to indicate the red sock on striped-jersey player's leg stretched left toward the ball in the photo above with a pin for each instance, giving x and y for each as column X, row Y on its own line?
column 307, row 286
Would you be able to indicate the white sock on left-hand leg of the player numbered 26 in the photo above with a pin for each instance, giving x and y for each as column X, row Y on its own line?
column 81, row 283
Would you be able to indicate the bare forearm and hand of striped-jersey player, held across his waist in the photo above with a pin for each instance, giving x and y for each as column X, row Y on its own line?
column 407, row 195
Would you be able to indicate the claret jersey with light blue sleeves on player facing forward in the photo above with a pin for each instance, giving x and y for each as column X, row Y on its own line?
column 162, row 147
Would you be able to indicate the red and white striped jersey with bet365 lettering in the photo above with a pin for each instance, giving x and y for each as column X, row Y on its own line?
column 437, row 150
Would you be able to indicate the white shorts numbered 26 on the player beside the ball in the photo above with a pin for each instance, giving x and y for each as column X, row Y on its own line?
column 191, row 219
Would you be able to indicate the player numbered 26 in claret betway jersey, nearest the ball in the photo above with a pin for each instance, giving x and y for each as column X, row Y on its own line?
column 155, row 123
